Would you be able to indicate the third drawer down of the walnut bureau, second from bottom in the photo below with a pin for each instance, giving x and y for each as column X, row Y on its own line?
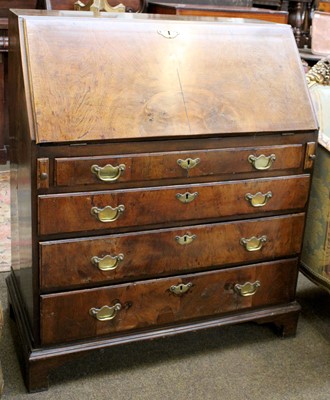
column 75, row 263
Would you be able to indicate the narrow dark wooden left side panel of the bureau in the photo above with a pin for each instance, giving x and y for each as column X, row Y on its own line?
column 22, row 169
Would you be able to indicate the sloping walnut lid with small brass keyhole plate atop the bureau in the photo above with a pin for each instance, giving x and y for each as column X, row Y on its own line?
column 119, row 78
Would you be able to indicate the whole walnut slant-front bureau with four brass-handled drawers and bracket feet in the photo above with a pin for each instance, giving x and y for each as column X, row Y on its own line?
column 159, row 179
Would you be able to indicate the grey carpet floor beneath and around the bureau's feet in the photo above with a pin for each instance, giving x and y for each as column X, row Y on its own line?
column 245, row 361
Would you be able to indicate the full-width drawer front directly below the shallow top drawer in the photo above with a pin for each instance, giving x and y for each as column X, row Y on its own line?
column 146, row 207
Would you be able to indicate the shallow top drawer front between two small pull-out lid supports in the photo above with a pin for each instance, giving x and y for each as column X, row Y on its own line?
column 171, row 165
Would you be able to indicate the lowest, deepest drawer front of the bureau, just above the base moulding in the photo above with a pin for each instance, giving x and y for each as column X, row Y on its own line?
column 94, row 312
